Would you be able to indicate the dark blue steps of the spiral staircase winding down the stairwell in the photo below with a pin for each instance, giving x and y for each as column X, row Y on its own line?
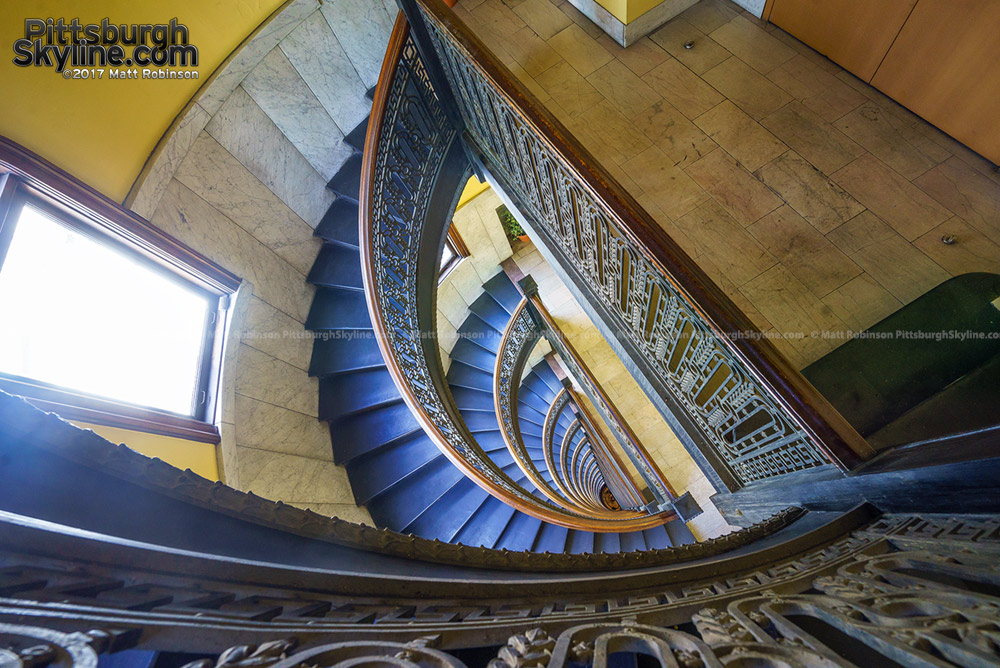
column 395, row 469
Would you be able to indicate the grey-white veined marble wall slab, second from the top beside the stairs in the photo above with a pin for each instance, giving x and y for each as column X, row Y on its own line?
column 319, row 58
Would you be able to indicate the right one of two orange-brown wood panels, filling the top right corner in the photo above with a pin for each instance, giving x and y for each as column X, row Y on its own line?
column 945, row 66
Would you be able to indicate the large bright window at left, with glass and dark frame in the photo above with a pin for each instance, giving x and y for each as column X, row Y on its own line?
column 104, row 318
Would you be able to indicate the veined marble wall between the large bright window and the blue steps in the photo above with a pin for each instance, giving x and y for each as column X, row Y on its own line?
column 240, row 177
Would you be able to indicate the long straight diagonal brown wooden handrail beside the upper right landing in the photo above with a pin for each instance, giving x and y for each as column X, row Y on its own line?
column 808, row 410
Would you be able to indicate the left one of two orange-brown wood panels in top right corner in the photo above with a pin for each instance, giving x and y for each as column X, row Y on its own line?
column 855, row 34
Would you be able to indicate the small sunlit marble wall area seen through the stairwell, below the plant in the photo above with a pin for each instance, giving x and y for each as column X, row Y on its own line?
column 480, row 229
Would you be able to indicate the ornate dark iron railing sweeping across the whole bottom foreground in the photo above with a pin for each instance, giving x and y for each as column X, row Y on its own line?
column 272, row 586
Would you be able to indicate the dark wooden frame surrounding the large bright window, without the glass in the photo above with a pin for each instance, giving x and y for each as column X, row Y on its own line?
column 26, row 178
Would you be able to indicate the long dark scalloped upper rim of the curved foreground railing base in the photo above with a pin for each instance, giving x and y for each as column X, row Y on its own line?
column 66, row 443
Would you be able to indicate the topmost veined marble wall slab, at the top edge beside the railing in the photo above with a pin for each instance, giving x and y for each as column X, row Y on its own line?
column 363, row 28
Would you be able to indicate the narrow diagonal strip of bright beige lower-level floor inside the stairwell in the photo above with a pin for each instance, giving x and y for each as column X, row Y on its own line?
column 655, row 435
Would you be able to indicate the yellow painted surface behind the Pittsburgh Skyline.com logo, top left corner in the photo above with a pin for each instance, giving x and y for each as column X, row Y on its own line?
column 103, row 131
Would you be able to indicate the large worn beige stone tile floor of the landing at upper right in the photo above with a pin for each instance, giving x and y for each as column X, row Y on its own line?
column 813, row 200
